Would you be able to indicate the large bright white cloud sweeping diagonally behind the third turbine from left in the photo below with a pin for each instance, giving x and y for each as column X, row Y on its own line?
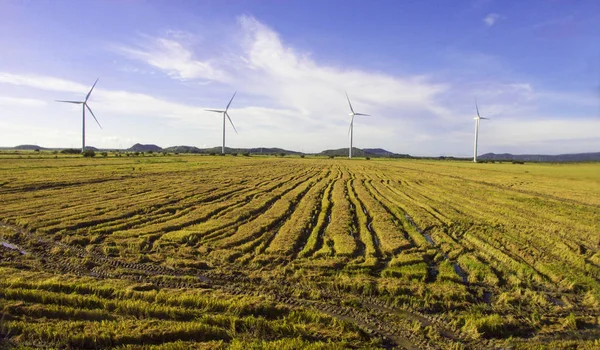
column 262, row 65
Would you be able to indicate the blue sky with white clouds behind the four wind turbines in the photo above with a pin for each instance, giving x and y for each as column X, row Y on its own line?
column 416, row 66
